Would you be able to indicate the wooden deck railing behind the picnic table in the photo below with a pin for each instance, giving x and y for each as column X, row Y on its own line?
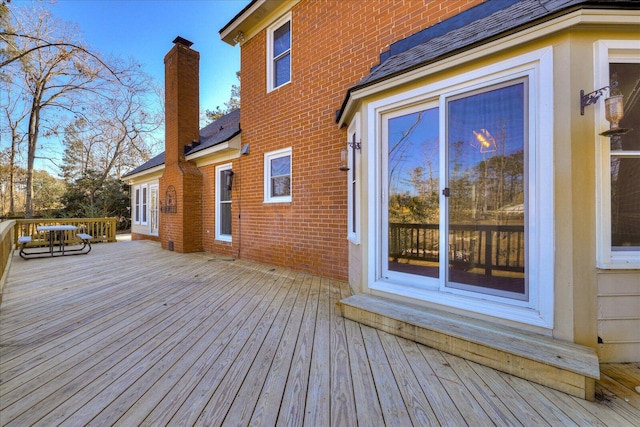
column 101, row 229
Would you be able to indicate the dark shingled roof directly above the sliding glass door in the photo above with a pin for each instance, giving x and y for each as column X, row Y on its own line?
column 478, row 25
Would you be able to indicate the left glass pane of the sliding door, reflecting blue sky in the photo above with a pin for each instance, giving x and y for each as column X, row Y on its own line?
column 413, row 193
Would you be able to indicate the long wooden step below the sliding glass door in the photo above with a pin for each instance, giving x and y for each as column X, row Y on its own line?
column 557, row 364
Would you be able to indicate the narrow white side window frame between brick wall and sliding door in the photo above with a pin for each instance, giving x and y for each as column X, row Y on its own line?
column 353, row 180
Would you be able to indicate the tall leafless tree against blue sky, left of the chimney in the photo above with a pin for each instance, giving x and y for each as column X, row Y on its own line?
column 63, row 81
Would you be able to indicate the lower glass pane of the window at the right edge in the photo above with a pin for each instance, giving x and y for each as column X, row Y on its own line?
column 625, row 203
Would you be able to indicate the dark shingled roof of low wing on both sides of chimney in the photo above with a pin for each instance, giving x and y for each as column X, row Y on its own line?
column 217, row 132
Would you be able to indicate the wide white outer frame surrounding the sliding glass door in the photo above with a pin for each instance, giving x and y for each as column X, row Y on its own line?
column 537, row 66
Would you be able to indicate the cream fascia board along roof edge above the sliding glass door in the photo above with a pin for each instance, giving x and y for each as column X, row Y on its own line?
column 588, row 16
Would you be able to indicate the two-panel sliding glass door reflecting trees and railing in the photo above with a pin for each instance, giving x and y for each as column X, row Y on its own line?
column 455, row 208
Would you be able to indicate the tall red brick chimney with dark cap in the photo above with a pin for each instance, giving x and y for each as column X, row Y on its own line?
column 181, row 182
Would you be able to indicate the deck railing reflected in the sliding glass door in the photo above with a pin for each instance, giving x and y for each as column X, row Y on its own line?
column 489, row 247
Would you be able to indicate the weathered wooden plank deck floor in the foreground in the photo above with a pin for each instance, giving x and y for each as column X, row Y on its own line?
column 133, row 335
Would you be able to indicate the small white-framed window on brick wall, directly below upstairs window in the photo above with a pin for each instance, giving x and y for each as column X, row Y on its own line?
column 277, row 176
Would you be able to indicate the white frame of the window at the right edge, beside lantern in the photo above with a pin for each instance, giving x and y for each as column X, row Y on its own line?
column 605, row 52
